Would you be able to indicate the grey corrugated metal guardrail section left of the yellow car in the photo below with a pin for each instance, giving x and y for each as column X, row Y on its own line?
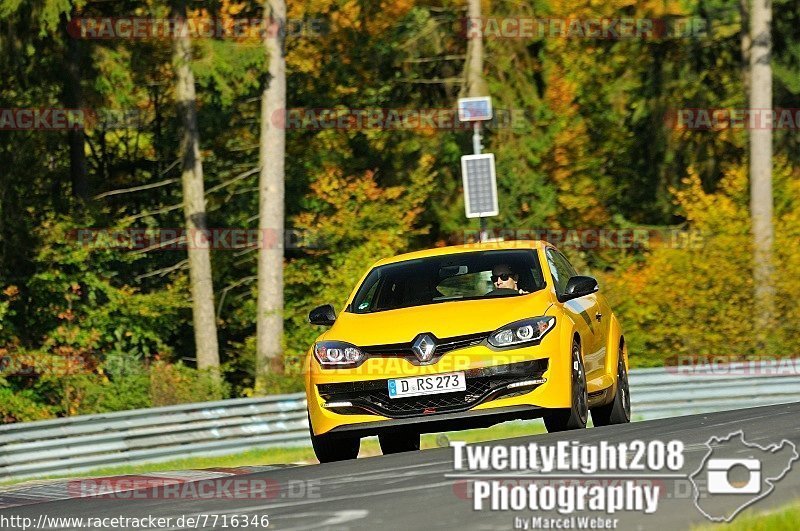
column 87, row 442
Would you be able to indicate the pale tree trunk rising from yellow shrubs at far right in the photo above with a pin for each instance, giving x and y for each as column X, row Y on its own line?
column 761, row 164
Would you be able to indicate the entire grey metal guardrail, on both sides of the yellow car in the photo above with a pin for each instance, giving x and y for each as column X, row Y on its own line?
column 77, row 444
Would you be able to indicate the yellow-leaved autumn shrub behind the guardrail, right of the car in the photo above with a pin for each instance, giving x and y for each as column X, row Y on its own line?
column 699, row 301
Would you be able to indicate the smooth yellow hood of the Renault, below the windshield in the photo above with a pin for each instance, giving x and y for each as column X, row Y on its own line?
column 446, row 319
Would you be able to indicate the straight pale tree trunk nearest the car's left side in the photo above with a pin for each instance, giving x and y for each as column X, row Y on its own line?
column 269, row 318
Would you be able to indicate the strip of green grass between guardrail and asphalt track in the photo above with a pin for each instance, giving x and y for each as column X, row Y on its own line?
column 283, row 455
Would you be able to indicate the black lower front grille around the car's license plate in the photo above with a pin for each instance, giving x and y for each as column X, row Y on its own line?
column 482, row 385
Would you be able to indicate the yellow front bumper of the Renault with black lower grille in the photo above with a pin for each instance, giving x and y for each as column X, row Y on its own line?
column 487, row 400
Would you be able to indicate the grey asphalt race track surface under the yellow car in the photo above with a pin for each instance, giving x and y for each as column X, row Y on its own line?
column 411, row 490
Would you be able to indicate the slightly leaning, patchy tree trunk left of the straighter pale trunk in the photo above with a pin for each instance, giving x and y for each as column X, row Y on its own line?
column 205, row 327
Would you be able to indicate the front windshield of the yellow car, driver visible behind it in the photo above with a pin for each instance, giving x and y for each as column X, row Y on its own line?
column 453, row 277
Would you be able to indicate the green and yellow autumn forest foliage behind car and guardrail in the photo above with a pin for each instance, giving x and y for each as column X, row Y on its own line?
column 88, row 329
